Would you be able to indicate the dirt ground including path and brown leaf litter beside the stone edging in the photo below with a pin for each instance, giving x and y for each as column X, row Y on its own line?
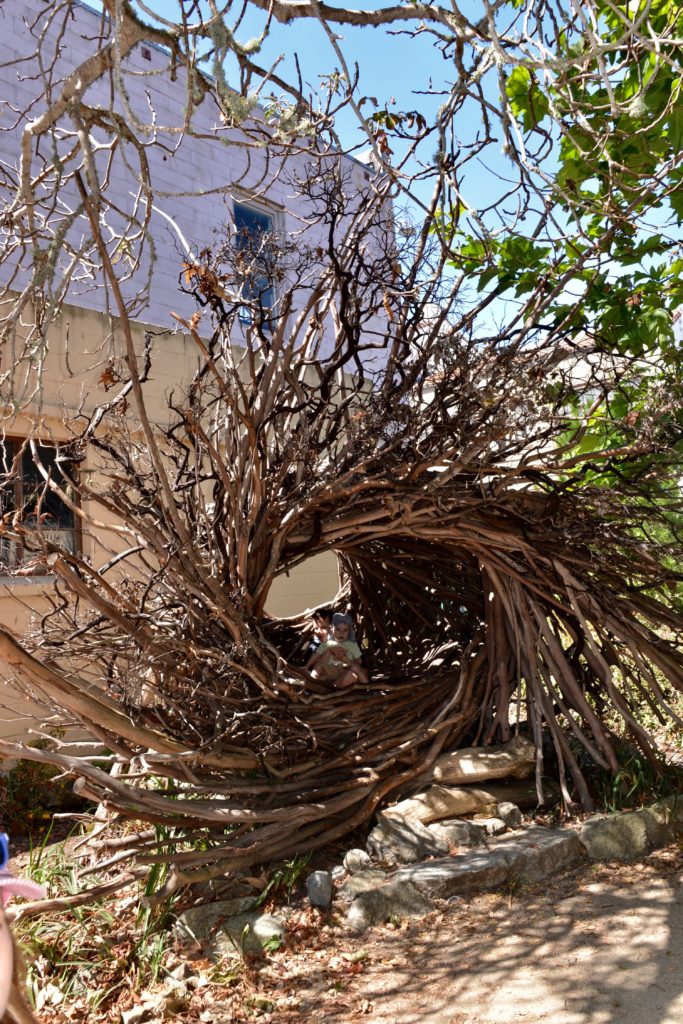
column 602, row 946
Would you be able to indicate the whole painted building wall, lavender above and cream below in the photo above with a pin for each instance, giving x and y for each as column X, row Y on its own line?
column 196, row 181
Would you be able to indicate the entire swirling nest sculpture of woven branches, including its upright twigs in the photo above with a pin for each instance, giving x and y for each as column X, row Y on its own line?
column 502, row 576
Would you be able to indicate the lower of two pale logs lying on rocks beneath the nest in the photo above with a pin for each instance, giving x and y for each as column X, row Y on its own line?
column 440, row 802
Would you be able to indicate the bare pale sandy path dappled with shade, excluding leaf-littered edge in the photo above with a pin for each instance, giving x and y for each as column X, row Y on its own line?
column 610, row 954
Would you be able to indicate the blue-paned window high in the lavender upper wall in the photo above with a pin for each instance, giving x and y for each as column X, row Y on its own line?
column 254, row 234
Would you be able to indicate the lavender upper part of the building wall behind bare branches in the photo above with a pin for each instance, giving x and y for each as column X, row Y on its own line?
column 195, row 180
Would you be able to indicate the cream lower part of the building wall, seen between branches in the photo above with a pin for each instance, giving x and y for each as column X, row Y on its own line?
column 80, row 347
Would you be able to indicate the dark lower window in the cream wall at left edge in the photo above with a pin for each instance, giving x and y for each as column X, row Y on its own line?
column 27, row 500
